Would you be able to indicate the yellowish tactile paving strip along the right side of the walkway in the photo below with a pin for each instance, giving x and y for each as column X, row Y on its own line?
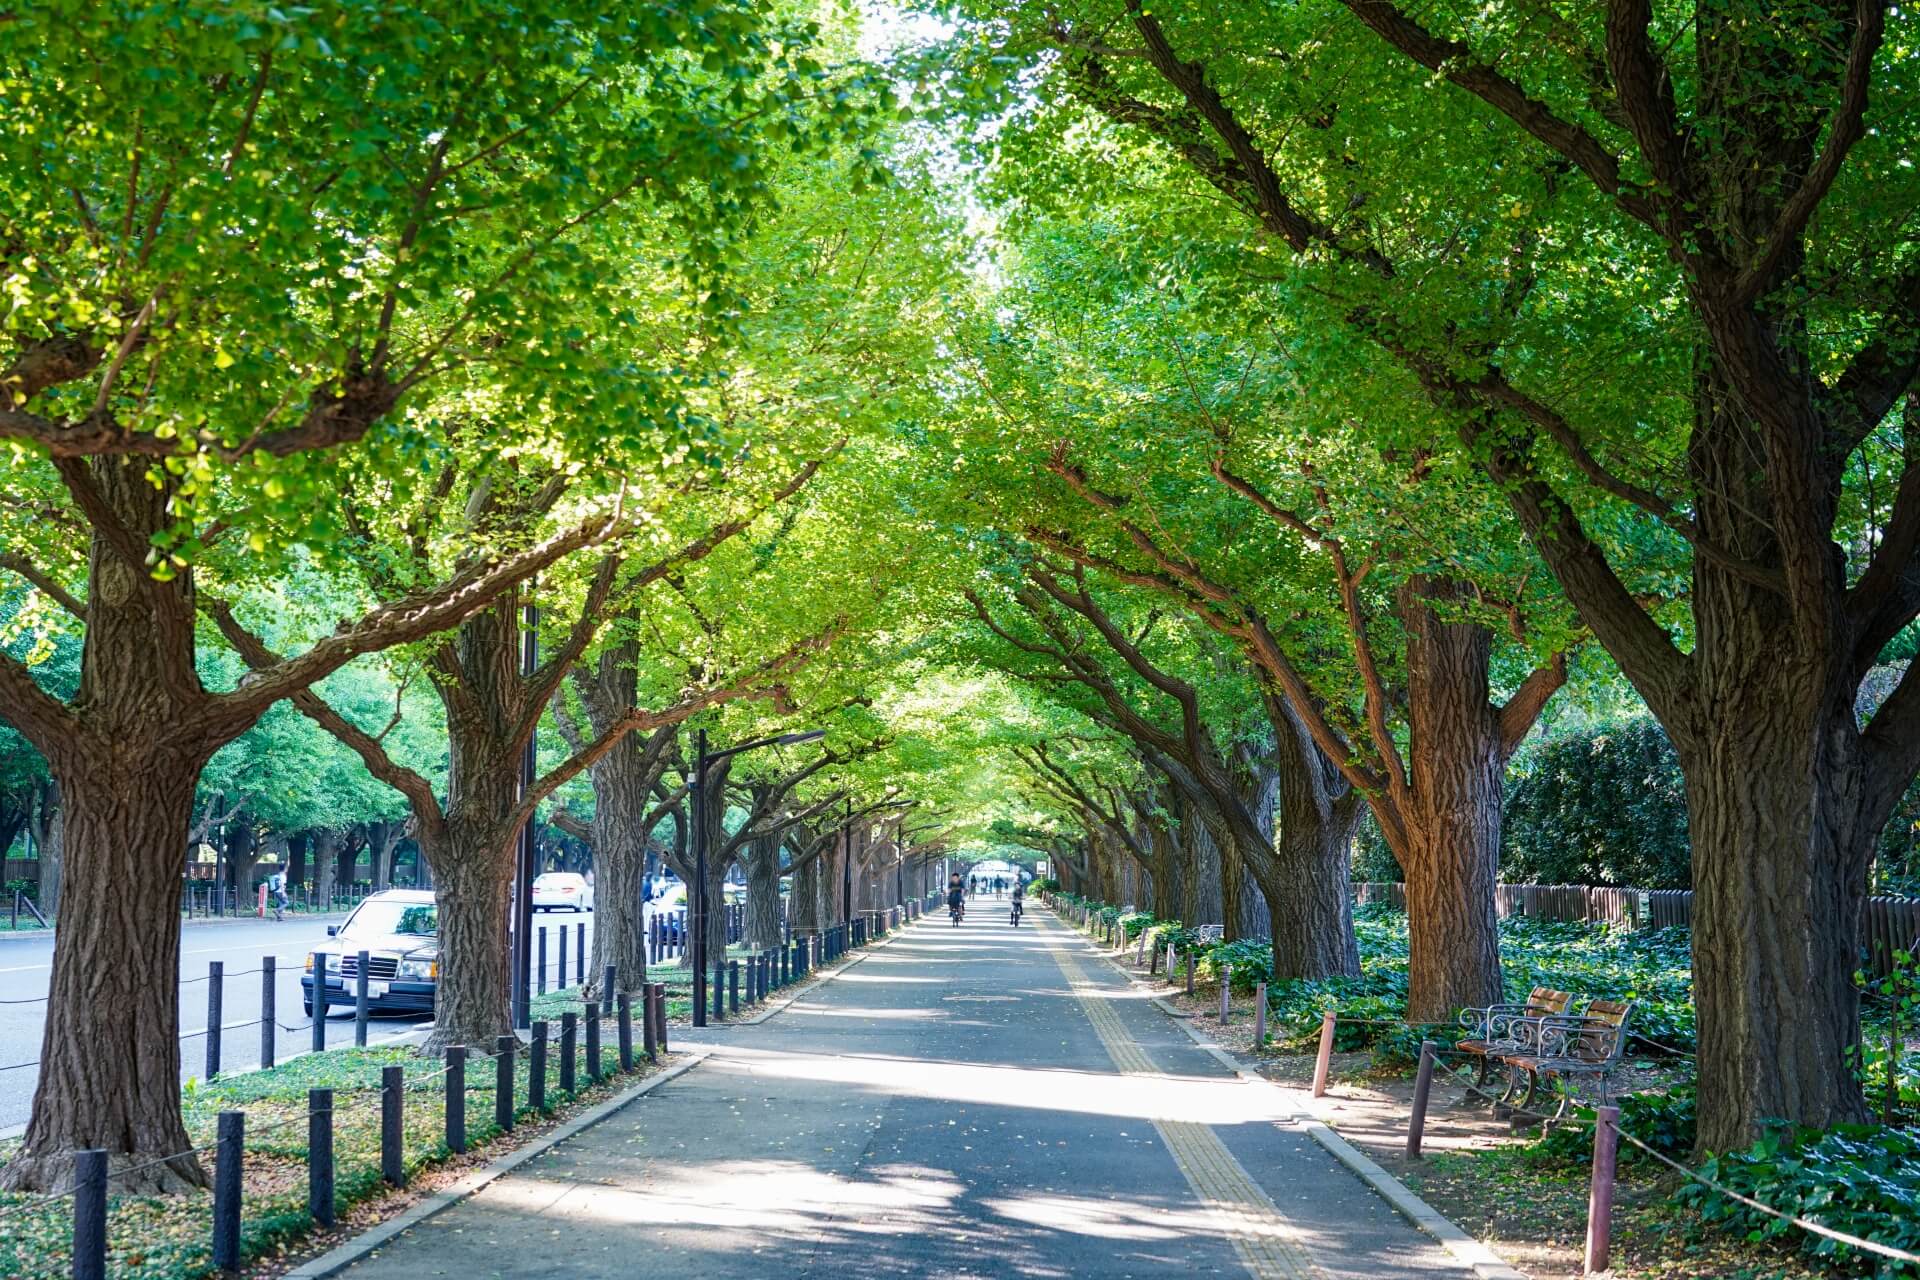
column 1268, row 1244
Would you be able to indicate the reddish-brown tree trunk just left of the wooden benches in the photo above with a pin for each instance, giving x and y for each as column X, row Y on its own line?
column 1456, row 763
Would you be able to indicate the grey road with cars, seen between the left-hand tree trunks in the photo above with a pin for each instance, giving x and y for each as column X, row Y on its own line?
column 26, row 968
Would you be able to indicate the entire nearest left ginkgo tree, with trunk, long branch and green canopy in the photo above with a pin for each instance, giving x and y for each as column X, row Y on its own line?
column 251, row 245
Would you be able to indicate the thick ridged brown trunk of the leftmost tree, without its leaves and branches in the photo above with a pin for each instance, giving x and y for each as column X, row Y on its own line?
column 110, row 1055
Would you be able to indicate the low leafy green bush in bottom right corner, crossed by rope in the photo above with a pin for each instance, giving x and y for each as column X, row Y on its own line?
column 1856, row 1179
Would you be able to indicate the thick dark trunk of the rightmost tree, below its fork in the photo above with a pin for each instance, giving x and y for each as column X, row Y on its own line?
column 1779, row 884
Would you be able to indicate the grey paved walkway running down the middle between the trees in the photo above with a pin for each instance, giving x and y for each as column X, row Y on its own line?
column 963, row 1102
